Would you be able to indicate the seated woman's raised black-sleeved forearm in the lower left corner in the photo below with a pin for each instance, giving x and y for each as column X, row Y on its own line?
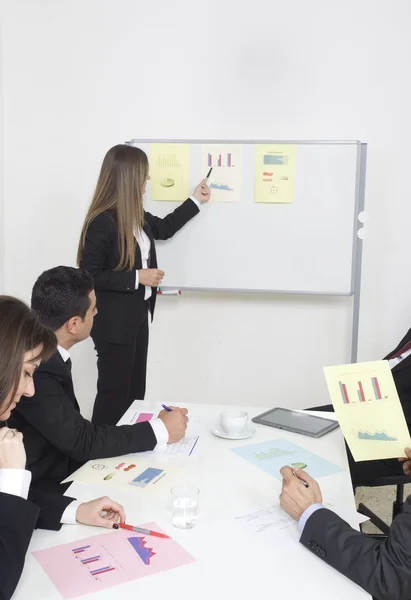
column 17, row 521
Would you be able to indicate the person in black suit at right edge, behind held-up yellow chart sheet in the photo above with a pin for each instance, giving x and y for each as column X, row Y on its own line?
column 400, row 362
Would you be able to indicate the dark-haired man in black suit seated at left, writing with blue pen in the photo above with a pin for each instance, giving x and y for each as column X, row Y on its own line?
column 57, row 438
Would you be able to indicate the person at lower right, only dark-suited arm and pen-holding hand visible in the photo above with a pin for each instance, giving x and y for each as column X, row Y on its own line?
column 382, row 568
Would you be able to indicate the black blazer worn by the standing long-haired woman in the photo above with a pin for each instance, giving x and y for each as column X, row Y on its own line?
column 121, row 308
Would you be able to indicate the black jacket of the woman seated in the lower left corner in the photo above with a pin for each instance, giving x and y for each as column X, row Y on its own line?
column 18, row 519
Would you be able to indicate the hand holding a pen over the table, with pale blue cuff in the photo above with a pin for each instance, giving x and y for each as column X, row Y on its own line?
column 295, row 498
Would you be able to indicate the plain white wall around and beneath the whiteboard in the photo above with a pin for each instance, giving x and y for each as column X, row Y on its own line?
column 80, row 76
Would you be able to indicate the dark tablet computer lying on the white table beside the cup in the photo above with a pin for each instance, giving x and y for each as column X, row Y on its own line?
column 297, row 422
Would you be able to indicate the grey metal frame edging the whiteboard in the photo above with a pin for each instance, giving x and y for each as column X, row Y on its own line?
column 356, row 256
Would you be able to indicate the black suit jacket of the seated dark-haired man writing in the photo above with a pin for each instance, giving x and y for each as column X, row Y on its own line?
column 57, row 438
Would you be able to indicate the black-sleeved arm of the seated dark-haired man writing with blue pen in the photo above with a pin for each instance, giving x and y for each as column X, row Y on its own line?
column 52, row 414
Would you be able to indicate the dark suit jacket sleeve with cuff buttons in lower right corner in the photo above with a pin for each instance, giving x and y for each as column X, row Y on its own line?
column 383, row 569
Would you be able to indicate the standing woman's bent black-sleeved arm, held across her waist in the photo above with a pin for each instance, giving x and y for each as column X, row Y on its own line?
column 100, row 236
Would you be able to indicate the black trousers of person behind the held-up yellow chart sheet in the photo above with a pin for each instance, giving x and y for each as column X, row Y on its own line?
column 367, row 471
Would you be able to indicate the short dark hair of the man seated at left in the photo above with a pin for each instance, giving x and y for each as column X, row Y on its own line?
column 60, row 294
